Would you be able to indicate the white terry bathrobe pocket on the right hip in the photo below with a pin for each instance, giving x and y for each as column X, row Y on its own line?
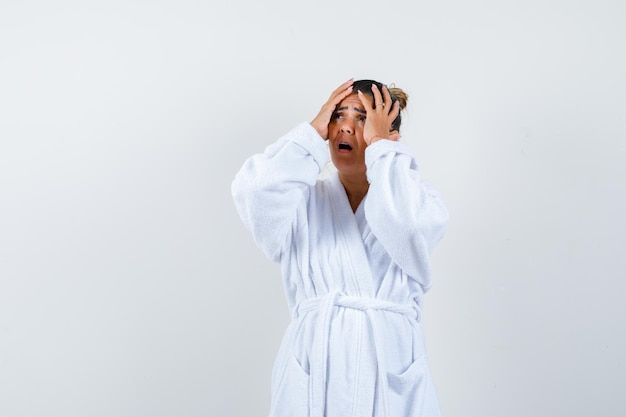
column 411, row 392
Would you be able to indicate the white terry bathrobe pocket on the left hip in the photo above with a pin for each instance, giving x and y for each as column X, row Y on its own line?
column 291, row 398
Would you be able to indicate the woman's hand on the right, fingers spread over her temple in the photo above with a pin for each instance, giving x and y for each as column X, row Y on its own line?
column 380, row 115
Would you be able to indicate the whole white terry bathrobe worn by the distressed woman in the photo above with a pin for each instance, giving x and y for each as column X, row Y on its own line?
column 354, row 281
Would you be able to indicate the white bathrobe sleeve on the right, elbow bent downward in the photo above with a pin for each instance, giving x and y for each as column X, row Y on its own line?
column 406, row 214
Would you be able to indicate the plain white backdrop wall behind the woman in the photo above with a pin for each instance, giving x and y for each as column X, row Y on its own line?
column 130, row 288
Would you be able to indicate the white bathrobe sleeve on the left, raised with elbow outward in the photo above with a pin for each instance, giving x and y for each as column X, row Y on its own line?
column 270, row 187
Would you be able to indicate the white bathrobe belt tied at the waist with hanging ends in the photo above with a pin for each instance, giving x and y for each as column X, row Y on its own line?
column 319, row 353
